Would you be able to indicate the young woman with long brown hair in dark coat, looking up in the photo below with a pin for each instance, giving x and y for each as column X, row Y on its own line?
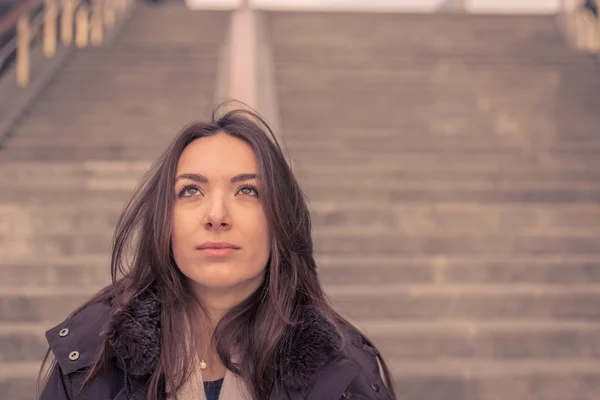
column 215, row 292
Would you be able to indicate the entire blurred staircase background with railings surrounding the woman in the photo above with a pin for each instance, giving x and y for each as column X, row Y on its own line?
column 450, row 150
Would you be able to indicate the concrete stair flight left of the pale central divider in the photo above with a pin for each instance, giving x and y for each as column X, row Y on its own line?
column 73, row 160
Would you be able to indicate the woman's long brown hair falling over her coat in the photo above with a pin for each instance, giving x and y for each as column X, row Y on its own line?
column 142, row 258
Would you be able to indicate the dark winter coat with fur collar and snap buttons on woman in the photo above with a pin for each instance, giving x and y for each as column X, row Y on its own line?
column 320, row 365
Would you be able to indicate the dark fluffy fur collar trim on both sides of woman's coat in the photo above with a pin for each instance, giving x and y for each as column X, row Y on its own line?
column 134, row 333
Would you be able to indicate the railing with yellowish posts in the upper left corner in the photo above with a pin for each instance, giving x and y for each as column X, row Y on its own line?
column 66, row 21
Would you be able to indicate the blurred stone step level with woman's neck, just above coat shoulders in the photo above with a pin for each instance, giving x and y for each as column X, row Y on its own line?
column 360, row 302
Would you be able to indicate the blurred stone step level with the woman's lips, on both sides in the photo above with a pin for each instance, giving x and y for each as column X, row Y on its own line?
column 25, row 239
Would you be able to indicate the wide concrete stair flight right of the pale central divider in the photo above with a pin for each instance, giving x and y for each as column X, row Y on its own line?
column 453, row 167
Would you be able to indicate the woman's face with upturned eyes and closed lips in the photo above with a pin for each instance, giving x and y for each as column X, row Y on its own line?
column 220, row 235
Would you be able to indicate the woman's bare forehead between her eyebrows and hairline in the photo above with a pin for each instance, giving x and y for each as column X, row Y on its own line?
column 220, row 154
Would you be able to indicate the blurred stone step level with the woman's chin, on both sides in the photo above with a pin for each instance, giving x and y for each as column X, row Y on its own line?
column 549, row 270
